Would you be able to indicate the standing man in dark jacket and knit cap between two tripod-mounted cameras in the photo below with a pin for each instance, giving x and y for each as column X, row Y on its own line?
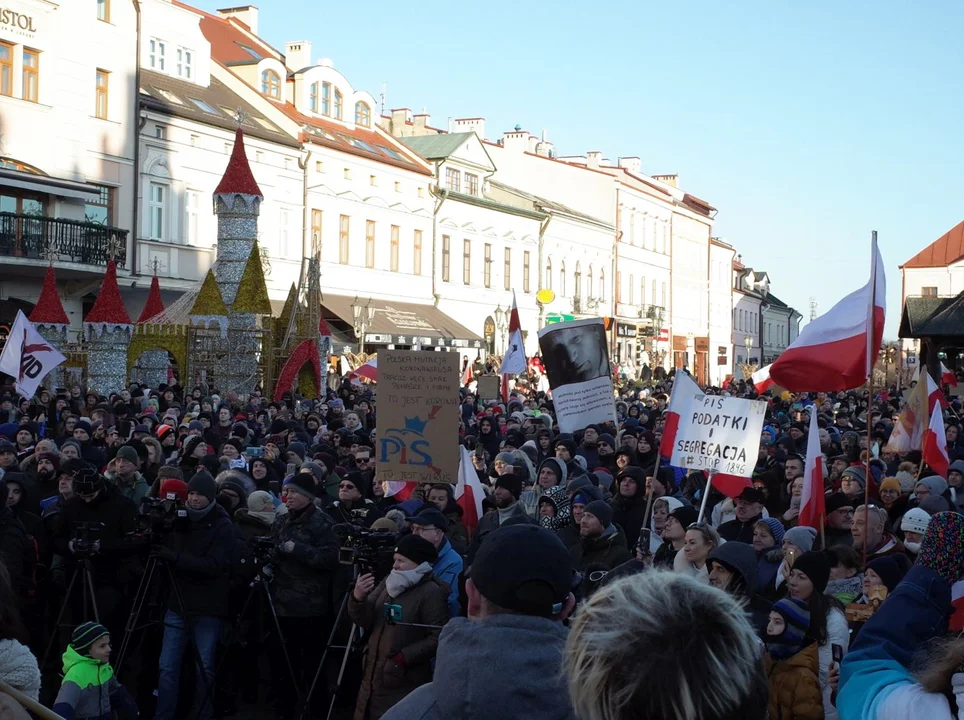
column 307, row 561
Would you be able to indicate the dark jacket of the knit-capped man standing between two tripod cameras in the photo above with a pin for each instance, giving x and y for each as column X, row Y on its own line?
column 302, row 584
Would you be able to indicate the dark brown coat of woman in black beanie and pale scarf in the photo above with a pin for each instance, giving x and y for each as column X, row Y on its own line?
column 385, row 681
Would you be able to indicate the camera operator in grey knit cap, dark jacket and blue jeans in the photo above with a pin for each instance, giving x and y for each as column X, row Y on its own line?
column 199, row 554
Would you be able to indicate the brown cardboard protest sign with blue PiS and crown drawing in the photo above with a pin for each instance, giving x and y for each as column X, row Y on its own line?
column 418, row 418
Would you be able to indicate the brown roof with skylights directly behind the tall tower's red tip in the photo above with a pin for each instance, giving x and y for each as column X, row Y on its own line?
column 180, row 98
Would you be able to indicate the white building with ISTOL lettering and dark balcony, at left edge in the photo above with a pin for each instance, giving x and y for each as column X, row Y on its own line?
column 67, row 79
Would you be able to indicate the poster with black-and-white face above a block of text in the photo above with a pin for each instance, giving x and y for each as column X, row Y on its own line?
column 576, row 358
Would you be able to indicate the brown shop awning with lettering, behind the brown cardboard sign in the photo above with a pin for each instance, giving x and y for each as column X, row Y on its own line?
column 401, row 323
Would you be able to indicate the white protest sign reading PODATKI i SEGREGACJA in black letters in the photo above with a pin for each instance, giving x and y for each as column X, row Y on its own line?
column 720, row 434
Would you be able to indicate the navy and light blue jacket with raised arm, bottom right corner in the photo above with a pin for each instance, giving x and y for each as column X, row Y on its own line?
column 875, row 678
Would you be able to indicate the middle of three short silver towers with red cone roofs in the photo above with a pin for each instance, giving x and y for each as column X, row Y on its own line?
column 107, row 330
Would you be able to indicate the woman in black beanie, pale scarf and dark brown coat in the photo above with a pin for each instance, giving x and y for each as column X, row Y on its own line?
column 398, row 657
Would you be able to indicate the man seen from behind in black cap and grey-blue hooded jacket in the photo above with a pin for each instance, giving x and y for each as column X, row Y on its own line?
column 518, row 594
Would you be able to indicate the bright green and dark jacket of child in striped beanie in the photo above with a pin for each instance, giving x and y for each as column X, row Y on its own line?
column 90, row 690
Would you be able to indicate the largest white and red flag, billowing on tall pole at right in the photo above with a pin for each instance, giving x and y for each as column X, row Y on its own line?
column 837, row 350
